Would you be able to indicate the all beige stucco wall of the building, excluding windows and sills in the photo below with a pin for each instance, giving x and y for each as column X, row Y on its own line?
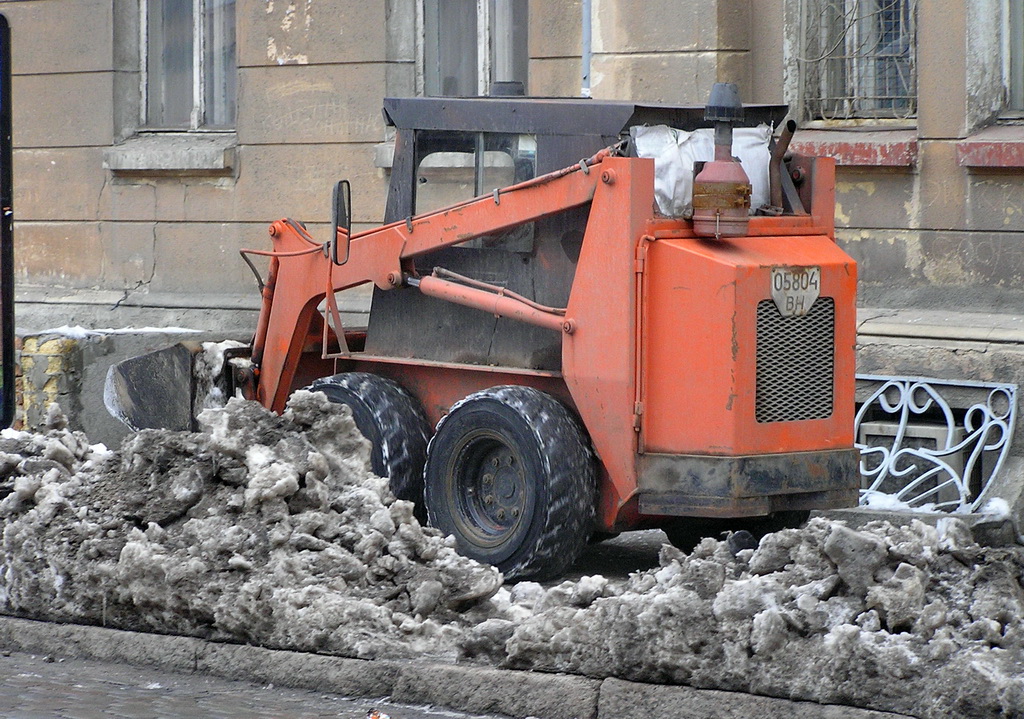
column 311, row 83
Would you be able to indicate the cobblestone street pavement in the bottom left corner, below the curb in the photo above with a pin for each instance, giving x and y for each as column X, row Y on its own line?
column 37, row 688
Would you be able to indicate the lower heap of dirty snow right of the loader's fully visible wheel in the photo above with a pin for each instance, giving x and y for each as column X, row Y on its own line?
column 915, row 619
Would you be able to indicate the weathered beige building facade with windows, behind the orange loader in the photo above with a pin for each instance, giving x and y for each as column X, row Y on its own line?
column 154, row 139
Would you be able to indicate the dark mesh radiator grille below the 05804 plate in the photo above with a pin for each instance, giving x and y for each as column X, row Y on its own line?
column 796, row 363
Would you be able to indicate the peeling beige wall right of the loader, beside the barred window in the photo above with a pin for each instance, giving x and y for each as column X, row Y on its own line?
column 937, row 234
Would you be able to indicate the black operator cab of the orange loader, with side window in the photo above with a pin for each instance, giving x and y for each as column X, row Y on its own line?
column 451, row 150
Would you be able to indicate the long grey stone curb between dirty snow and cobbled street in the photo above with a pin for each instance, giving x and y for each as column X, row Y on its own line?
column 478, row 690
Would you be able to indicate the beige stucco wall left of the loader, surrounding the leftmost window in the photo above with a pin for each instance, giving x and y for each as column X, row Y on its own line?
column 311, row 84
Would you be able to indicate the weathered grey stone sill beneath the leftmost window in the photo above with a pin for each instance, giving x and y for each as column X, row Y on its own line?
column 174, row 153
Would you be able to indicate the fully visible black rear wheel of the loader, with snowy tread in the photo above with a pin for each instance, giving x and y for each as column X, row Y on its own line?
column 511, row 476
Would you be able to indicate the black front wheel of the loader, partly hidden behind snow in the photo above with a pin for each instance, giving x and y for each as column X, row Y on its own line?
column 392, row 419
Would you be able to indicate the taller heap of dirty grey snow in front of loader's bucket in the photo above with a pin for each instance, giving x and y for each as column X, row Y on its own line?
column 263, row 529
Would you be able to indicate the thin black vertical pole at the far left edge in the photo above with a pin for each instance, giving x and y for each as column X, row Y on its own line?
column 7, row 234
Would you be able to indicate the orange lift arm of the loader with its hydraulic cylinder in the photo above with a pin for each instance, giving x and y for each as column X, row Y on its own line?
column 380, row 256
